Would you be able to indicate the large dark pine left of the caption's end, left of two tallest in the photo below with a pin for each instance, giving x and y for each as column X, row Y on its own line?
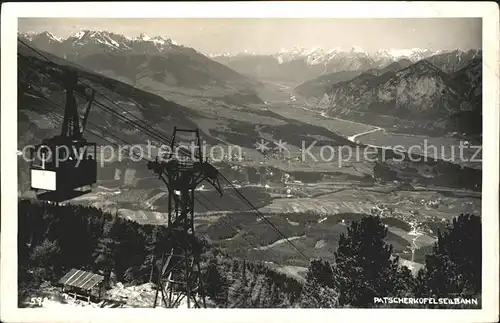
column 364, row 266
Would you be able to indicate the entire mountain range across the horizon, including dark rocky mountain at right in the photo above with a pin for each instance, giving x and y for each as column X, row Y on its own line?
column 410, row 90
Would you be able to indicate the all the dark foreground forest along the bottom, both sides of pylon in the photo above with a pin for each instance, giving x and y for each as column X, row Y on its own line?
column 54, row 239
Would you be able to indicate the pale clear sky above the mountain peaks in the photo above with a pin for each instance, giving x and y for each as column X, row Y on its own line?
column 267, row 35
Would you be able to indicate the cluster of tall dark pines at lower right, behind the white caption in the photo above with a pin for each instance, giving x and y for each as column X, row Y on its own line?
column 364, row 268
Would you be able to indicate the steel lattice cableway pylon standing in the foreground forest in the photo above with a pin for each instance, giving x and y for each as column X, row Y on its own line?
column 179, row 272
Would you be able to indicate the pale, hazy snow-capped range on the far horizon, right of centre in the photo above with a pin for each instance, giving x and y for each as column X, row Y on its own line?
column 300, row 65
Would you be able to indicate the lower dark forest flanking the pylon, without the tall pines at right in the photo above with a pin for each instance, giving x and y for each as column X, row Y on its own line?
column 54, row 239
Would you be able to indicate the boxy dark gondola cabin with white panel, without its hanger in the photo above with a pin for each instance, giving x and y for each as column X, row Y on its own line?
column 63, row 165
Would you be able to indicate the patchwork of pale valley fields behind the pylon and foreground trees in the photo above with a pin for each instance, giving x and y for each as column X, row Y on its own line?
column 312, row 215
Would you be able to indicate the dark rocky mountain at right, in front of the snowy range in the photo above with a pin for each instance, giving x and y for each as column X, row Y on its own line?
column 420, row 97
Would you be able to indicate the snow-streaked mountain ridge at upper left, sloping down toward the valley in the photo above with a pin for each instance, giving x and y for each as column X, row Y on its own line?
column 153, row 63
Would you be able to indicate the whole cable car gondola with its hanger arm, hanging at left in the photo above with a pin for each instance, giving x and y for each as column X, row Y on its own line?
column 61, row 166
